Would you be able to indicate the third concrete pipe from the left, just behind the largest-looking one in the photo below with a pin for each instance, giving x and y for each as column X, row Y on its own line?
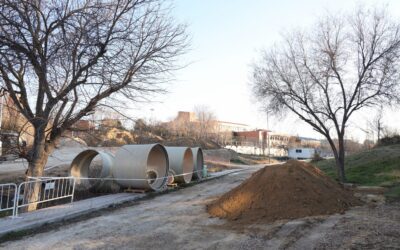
column 181, row 162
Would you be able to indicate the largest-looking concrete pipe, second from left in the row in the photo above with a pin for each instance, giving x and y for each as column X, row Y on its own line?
column 142, row 166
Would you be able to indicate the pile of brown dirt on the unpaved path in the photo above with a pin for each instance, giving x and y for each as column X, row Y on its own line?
column 288, row 191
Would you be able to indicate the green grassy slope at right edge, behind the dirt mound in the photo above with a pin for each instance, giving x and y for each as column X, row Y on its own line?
column 376, row 167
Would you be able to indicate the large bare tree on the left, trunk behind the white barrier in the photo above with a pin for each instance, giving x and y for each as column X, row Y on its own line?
column 59, row 60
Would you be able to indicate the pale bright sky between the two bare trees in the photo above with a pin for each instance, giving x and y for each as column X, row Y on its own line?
column 226, row 38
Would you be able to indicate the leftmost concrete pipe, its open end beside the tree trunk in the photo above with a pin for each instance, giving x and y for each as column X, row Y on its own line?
column 81, row 168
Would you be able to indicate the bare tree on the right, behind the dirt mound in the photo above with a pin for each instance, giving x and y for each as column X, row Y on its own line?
column 346, row 63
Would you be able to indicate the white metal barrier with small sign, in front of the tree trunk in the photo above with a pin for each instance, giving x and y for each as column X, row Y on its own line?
column 48, row 189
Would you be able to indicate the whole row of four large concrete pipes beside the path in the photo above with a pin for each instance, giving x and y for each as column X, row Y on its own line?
column 148, row 166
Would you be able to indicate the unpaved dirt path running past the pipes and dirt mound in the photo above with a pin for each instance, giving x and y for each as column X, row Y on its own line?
column 178, row 220
